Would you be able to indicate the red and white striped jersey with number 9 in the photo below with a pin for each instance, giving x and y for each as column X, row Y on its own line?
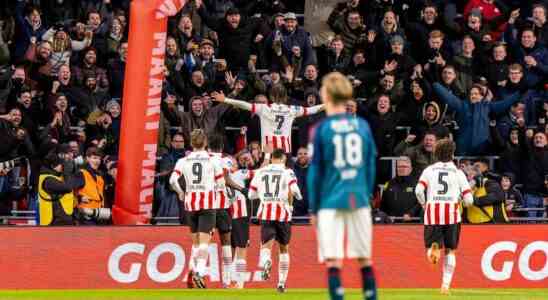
column 200, row 174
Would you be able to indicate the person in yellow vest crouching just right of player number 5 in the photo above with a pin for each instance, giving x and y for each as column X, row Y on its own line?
column 489, row 204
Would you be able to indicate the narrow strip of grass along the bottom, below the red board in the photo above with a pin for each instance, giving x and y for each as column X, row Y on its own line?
column 265, row 294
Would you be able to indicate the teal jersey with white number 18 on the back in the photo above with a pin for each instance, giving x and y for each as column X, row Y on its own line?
column 342, row 172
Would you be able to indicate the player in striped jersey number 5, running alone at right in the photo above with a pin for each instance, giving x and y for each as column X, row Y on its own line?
column 444, row 185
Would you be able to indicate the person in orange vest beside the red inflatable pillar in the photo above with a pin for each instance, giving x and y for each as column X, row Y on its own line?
column 90, row 186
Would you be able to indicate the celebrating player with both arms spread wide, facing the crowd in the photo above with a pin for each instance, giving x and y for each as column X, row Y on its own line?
column 276, row 118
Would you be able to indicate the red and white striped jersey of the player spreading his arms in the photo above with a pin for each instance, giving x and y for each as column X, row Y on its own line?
column 277, row 122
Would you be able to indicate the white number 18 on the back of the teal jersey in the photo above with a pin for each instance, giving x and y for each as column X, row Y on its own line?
column 348, row 150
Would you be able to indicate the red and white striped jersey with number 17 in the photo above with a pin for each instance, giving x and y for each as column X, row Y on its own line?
column 272, row 184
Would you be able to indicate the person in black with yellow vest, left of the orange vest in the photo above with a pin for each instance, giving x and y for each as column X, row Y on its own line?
column 55, row 195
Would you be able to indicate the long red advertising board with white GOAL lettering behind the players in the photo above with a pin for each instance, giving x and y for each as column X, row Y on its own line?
column 489, row 256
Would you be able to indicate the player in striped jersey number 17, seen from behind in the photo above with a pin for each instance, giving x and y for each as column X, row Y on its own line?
column 275, row 186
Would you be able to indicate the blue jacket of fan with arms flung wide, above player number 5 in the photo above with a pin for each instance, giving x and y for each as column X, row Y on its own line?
column 473, row 119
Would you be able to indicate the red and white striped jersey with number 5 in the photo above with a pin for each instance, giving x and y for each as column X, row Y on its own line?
column 445, row 186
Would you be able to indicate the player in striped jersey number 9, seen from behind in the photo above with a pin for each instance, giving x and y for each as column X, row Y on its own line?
column 194, row 178
